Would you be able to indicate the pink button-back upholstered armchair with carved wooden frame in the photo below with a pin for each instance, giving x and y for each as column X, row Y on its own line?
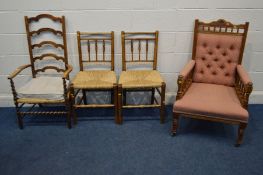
column 214, row 86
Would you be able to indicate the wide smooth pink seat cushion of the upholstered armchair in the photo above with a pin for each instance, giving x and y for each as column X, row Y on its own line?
column 213, row 100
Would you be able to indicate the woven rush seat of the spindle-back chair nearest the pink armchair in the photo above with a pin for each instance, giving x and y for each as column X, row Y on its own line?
column 140, row 78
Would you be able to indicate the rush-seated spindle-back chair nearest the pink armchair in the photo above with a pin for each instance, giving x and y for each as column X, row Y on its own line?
column 140, row 48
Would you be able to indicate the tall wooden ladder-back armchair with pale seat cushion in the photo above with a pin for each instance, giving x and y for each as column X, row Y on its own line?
column 50, row 71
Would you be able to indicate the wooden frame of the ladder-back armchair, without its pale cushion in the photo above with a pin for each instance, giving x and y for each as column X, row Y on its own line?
column 19, row 102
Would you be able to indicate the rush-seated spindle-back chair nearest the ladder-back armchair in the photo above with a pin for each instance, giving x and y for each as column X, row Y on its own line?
column 96, row 62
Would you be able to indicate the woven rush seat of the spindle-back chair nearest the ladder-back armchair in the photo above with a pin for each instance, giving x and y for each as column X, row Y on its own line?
column 97, row 79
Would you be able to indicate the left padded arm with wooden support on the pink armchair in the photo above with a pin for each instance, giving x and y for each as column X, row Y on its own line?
column 185, row 79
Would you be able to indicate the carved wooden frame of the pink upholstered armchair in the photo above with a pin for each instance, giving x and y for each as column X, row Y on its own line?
column 243, row 90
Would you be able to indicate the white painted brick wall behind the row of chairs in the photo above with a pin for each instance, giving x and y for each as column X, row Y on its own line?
column 173, row 18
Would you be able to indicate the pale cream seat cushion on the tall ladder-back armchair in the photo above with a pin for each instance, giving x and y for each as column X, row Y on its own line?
column 42, row 88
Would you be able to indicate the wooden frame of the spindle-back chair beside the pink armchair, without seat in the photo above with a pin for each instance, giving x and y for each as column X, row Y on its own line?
column 152, row 36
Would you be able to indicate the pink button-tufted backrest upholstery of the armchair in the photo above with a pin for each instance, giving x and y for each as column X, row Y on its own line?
column 216, row 58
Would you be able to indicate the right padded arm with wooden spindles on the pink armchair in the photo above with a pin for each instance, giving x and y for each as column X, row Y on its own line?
column 243, row 86
